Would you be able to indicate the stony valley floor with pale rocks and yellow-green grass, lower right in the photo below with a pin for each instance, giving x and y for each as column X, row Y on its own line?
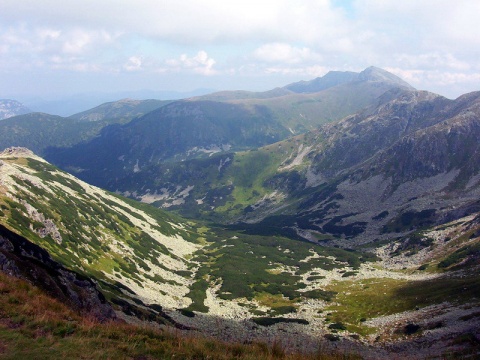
column 392, row 308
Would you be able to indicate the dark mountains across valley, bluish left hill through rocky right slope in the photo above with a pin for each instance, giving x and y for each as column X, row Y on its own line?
column 411, row 152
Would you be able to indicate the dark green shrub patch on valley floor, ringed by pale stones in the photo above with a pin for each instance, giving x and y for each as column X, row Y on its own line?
column 266, row 268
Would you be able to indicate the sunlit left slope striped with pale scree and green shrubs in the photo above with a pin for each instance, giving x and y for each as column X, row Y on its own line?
column 95, row 233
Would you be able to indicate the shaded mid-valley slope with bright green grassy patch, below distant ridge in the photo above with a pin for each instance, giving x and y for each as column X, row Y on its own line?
column 227, row 184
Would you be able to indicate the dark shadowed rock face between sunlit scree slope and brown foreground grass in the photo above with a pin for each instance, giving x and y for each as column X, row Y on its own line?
column 21, row 258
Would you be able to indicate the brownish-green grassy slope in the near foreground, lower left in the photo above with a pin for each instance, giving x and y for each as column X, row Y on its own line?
column 34, row 326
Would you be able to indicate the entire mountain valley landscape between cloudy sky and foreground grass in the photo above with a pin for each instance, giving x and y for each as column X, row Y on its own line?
column 306, row 217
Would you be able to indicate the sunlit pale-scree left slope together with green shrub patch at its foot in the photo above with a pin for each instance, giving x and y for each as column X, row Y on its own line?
column 139, row 252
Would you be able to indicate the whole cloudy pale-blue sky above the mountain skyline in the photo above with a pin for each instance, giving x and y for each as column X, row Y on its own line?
column 52, row 47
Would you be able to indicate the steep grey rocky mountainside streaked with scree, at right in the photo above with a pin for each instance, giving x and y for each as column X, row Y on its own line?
column 413, row 162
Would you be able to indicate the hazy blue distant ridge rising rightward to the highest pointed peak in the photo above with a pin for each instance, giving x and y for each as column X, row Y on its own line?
column 218, row 123
